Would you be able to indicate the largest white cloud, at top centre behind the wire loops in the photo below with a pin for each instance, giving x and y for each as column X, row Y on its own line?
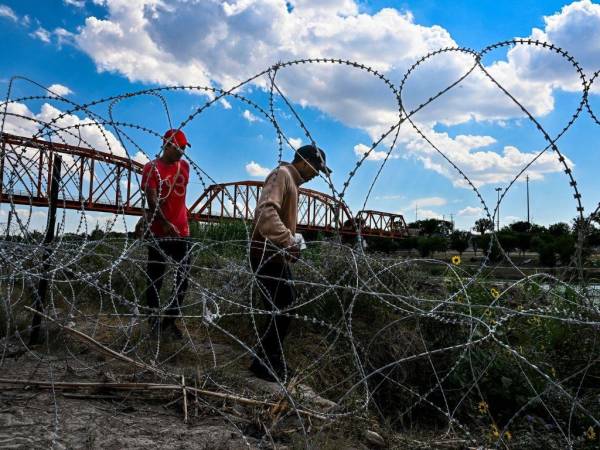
column 228, row 42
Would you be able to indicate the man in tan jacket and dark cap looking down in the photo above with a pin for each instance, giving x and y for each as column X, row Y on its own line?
column 272, row 250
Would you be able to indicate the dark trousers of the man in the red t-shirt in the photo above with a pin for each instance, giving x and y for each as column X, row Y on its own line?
column 158, row 257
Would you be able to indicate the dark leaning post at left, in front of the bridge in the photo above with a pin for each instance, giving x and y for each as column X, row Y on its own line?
column 40, row 294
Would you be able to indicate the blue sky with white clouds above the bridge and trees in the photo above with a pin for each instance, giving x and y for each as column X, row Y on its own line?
column 101, row 48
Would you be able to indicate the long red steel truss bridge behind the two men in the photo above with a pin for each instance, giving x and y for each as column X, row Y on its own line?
column 92, row 180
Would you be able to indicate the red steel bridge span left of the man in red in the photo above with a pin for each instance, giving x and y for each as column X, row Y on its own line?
column 90, row 179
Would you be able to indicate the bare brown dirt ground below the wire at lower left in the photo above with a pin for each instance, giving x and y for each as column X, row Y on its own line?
column 70, row 418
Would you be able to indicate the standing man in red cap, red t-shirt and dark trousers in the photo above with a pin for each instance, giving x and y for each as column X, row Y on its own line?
column 164, row 182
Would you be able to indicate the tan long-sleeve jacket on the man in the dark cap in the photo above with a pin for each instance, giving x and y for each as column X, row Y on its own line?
column 277, row 209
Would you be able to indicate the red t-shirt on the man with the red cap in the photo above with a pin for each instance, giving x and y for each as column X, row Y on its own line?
column 170, row 182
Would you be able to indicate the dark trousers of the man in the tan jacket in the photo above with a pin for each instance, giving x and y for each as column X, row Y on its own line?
column 276, row 294
